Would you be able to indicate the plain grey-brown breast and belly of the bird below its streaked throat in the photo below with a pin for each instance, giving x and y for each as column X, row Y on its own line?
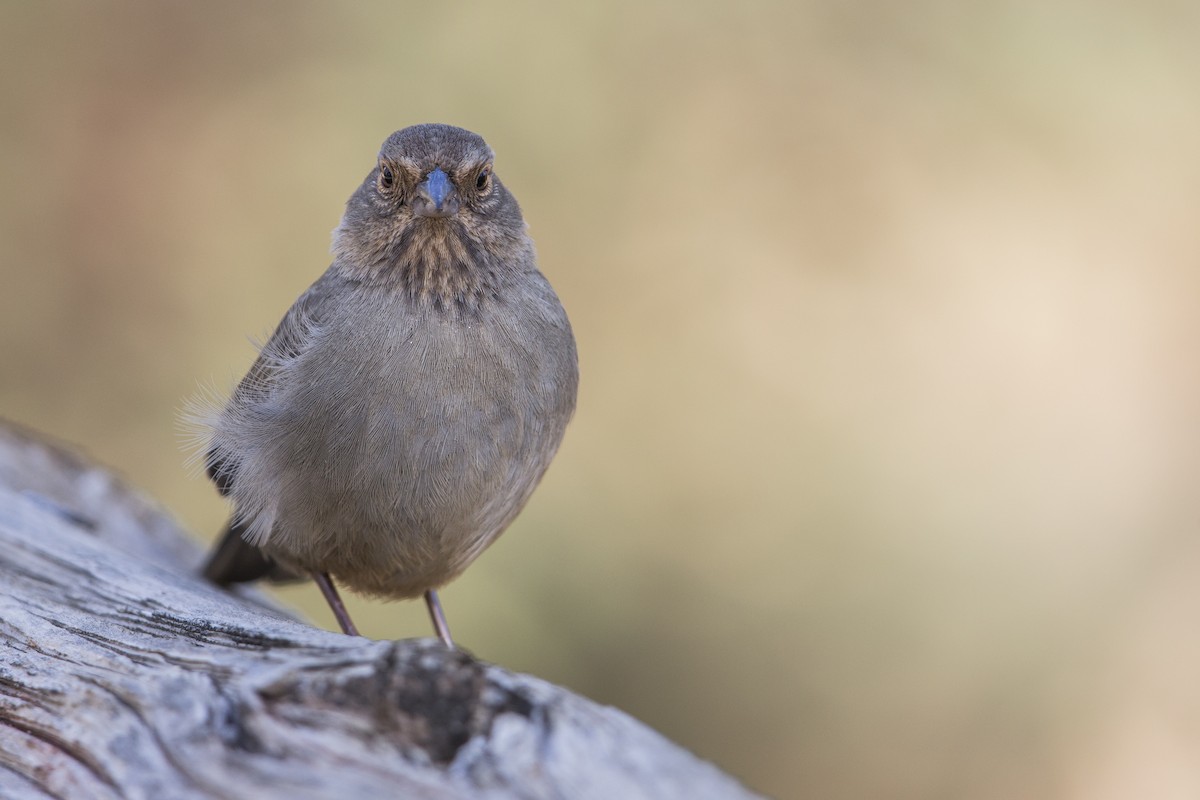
column 403, row 441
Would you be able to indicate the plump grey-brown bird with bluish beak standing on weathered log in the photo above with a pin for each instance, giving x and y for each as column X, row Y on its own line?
column 410, row 402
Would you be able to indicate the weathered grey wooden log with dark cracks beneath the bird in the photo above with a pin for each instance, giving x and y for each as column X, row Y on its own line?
column 125, row 676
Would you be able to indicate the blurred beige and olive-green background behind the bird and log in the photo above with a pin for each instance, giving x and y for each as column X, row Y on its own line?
column 884, row 480
